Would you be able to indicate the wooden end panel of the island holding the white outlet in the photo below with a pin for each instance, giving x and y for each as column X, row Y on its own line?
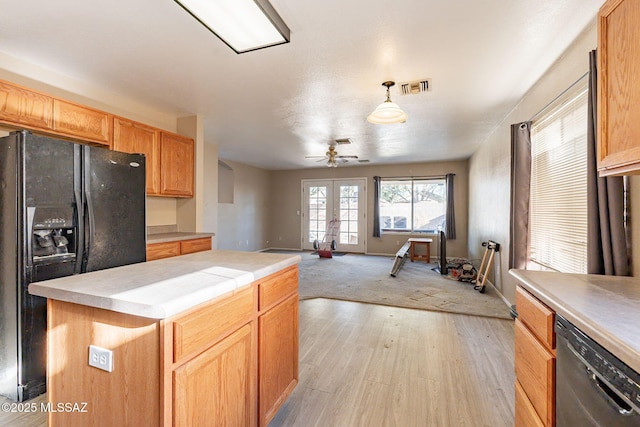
column 81, row 395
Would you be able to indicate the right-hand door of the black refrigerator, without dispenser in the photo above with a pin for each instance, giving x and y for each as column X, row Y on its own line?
column 115, row 206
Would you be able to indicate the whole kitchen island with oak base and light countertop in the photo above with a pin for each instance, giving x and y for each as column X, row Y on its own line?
column 194, row 340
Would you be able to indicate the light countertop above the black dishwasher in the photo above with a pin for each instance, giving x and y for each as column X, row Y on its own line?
column 606, row 308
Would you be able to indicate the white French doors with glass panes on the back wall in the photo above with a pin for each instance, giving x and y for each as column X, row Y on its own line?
column 341, row 199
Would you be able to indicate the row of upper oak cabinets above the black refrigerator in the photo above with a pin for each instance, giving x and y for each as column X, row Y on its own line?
column 169, row 157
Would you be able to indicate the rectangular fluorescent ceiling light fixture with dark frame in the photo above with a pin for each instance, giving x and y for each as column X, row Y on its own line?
column 244, row 25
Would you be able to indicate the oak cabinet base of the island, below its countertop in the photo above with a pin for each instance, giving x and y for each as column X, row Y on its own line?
column 224, row 362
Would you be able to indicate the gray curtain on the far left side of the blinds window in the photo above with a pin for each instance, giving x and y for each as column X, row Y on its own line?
column 520, row 190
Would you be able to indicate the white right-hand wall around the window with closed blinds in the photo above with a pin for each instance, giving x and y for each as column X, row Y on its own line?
column 489, row 169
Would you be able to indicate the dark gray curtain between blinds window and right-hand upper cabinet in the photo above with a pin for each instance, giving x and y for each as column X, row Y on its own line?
column 606, row 239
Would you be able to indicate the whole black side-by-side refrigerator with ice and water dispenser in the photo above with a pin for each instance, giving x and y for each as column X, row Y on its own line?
column 65, row 209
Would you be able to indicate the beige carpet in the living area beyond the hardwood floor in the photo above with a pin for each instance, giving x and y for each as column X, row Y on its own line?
column 365, row 278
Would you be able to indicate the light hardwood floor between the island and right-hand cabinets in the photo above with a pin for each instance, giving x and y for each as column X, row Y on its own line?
column 371, row 365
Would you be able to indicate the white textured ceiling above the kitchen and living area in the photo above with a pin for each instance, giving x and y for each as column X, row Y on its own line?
column 271, row 108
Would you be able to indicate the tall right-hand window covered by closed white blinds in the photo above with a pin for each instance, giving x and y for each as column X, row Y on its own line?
column 558, row 204
